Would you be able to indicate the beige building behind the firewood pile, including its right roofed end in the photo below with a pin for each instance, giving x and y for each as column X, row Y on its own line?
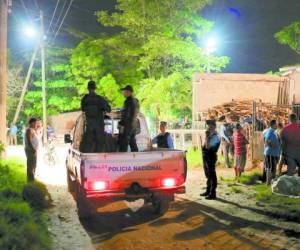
column 210, row 90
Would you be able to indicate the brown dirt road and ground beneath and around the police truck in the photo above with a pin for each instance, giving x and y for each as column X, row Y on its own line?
column 234, row 221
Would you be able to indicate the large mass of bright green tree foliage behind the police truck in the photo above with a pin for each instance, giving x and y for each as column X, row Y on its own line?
column 156, row 49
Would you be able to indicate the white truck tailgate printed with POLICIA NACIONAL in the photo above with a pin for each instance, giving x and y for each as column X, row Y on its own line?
column 148, row 169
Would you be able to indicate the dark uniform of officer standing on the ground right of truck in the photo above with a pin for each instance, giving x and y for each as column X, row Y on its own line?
column 210, row 159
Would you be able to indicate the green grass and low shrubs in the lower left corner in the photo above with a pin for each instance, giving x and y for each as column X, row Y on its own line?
column 22, row 222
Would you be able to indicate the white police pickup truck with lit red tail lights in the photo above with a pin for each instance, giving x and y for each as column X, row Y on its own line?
column 97, row 179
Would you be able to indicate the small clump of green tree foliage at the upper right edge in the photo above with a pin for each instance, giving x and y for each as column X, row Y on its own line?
column 290, row 35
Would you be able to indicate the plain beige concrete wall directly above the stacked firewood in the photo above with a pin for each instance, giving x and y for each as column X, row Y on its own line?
column 210, row 90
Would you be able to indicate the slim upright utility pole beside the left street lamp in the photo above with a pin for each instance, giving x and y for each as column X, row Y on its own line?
column 42, row 37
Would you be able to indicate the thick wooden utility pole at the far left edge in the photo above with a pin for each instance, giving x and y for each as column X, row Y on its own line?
column 3, row 69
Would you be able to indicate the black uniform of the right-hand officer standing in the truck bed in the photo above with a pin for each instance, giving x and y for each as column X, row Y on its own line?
column 130, row 124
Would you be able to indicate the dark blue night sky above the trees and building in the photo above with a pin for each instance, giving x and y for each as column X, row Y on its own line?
column 244, row 29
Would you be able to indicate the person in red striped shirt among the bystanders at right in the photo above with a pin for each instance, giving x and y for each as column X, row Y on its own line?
column 240, row 151
